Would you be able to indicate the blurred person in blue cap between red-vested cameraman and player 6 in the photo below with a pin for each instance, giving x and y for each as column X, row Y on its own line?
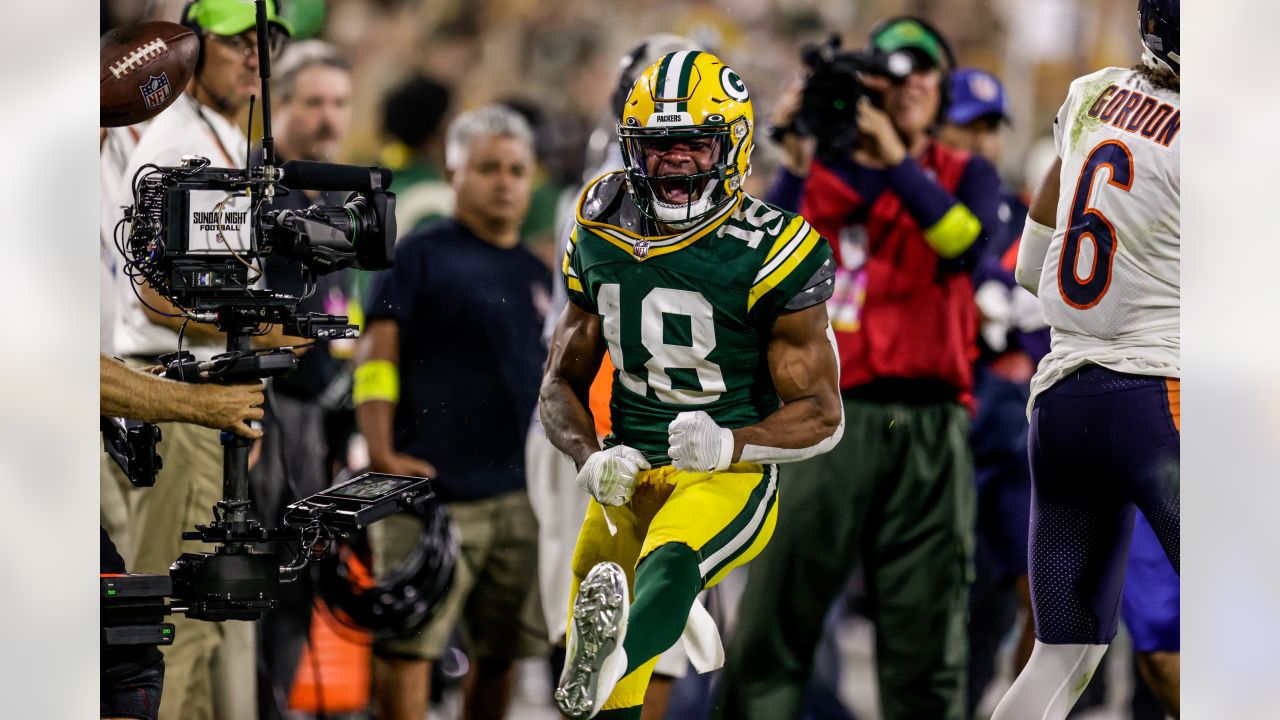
column 1012, row 341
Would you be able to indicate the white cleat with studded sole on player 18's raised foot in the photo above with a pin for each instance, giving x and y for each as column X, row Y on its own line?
column 596, row 660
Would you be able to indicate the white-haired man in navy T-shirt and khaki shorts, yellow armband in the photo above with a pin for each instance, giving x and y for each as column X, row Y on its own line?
column 447, row 380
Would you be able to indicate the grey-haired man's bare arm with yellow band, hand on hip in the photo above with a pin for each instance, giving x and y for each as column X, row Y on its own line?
column 377, row 397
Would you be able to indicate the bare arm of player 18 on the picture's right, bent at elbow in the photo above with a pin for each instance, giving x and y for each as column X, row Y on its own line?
column 803, row 366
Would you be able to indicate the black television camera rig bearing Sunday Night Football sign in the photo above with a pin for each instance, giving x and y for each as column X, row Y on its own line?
column 214, row 282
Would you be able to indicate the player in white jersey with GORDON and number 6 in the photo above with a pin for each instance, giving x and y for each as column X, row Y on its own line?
column 1101, row 250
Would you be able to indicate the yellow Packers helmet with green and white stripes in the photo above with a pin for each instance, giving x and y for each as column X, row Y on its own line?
column 688, row 103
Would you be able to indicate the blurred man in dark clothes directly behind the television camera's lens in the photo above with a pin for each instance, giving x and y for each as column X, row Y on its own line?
column 312, row 93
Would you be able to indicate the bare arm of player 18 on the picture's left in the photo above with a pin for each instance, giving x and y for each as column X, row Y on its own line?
column 573, row 362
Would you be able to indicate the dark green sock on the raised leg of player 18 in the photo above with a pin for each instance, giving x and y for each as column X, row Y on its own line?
column 668, row 584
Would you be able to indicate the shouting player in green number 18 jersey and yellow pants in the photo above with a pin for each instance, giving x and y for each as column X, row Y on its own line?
column 711, row 306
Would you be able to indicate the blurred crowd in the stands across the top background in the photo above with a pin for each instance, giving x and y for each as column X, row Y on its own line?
column 557, row 62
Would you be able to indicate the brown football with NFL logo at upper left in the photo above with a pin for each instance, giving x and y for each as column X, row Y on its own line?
column 145, row 69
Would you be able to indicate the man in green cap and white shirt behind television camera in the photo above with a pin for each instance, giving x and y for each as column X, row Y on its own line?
column 211, row 667
